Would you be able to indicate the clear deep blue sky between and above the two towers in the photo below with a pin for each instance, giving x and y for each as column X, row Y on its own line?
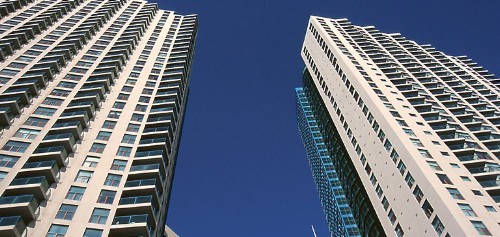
column 242, row 169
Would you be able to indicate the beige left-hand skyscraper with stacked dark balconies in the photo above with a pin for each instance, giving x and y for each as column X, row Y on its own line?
column 92, row 100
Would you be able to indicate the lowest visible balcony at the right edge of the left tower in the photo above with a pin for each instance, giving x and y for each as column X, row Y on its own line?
column 132, row 225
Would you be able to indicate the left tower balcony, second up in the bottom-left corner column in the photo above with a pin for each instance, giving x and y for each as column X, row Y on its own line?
column 24, row 205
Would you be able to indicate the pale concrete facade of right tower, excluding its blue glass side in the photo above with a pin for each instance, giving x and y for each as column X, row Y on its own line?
column 396, row 146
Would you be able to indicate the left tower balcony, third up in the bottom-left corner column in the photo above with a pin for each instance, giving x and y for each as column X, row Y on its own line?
column 39, row 186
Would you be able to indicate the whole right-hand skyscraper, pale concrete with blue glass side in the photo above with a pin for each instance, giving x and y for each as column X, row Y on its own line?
column 401, row 137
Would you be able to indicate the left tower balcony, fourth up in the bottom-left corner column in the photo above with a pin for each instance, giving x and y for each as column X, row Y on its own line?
column 49, row 169
